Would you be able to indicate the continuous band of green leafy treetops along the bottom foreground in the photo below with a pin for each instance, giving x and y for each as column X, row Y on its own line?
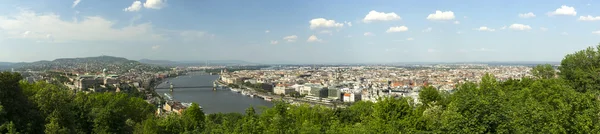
column 543, row 104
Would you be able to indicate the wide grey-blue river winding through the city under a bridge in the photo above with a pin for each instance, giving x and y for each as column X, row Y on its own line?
column 222, row 100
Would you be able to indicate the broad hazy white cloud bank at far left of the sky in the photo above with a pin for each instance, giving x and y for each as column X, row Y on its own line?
column 89, row 29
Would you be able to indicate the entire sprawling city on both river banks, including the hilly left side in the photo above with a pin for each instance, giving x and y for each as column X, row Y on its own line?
column 326, row 85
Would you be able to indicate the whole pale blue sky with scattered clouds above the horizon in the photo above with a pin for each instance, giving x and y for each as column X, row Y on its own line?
column 301, row 31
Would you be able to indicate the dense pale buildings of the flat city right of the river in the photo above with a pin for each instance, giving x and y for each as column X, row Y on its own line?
column 355, row 83
